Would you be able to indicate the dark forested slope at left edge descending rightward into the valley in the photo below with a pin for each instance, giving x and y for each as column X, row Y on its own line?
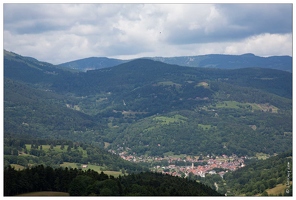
column 36, row 113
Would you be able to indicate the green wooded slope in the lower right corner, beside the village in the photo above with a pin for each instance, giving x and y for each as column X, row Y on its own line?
column 261, row 175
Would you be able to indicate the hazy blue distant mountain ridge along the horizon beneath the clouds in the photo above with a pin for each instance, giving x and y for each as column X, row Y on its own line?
column 220, row 61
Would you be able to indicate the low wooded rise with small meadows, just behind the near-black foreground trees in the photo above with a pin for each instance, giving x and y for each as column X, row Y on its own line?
column 70, row 152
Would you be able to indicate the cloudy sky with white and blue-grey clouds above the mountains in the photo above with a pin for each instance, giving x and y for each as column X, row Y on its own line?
column 59, row 33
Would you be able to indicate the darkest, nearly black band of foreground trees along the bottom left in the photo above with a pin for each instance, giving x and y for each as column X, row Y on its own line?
column 91, row 183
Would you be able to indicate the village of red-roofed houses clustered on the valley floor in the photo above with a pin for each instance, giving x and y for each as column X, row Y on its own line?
column 184, row 166
